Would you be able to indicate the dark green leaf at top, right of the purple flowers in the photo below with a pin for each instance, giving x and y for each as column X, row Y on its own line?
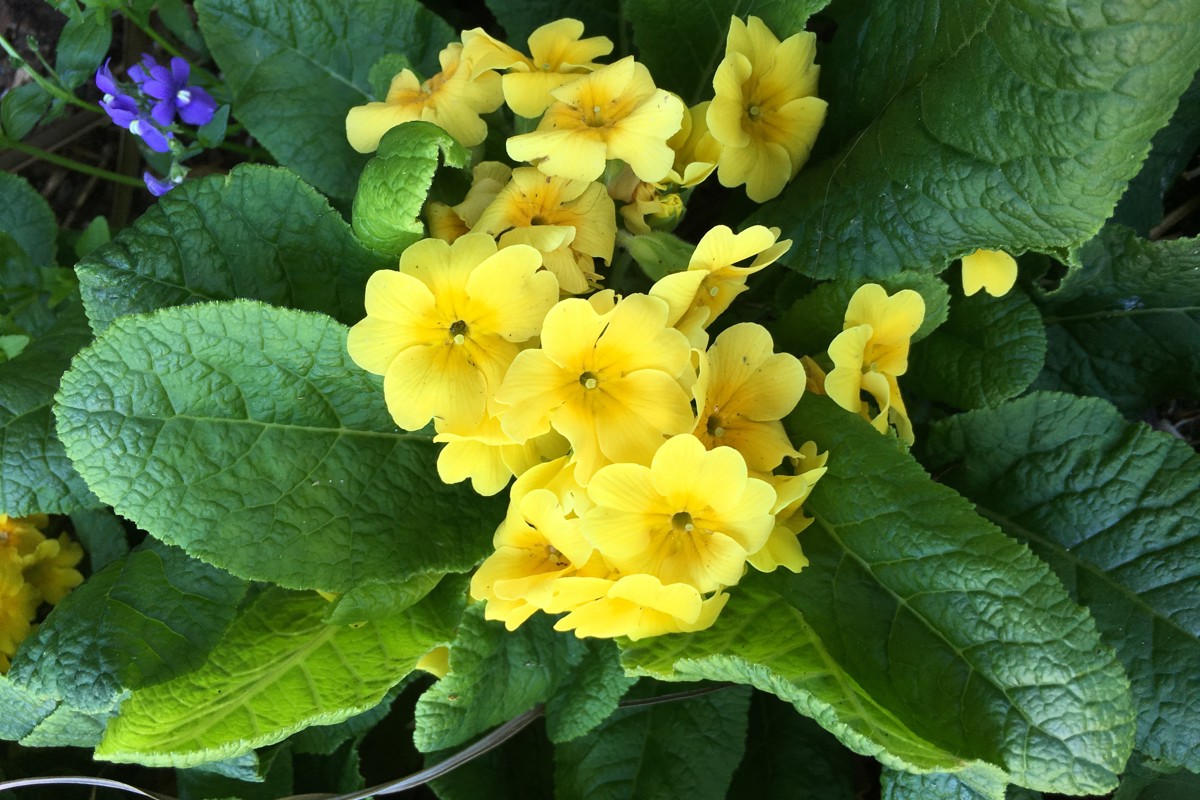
column 296, row 69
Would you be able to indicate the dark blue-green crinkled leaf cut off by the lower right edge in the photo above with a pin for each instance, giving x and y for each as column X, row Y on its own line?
column 1112, row 508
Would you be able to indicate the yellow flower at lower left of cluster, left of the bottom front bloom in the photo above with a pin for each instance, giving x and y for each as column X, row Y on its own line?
column 533, row 550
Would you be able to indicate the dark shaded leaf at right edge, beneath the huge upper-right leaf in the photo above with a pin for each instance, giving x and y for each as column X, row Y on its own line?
column 1127, row 326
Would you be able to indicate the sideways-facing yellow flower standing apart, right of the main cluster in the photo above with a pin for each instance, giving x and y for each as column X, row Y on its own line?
column 873, row 352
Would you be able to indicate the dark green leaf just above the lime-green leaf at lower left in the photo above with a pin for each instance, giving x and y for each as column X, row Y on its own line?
column 151, row 617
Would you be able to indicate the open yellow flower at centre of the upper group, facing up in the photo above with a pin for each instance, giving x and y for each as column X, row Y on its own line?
column 616, row 112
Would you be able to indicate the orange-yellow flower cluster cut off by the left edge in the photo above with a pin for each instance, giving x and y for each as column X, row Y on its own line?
column 33, row 570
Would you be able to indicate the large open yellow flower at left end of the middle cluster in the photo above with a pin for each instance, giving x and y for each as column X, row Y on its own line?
column 445, row 328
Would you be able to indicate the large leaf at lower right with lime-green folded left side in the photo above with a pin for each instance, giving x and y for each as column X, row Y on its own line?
column 920, row 634
